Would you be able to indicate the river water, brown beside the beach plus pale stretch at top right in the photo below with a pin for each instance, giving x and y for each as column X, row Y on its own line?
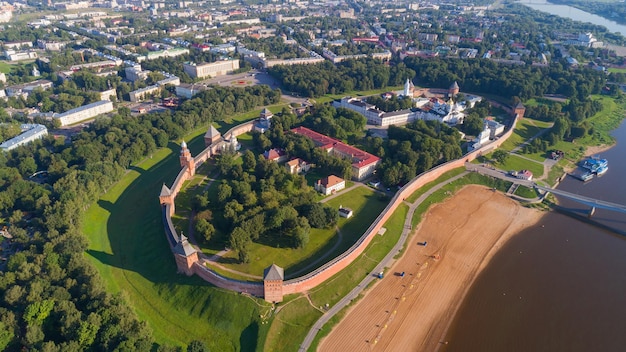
column 558, row 286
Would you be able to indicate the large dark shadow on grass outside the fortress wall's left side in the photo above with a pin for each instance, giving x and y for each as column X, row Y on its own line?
column 135, row 227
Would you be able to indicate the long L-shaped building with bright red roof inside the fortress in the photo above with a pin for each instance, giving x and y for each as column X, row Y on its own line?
column 363, row 163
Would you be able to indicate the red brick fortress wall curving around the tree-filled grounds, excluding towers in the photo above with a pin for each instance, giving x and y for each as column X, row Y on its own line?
column 316, row 277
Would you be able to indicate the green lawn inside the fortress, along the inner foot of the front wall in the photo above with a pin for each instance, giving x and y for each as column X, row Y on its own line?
column 323, row 243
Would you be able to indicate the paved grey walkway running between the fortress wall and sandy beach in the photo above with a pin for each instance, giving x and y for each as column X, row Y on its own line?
column 386, row 262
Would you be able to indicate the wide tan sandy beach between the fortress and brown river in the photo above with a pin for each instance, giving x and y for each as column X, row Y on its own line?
column 412, row 312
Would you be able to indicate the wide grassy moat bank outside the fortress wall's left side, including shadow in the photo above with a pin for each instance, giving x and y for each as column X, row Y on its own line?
column 128, row 246
